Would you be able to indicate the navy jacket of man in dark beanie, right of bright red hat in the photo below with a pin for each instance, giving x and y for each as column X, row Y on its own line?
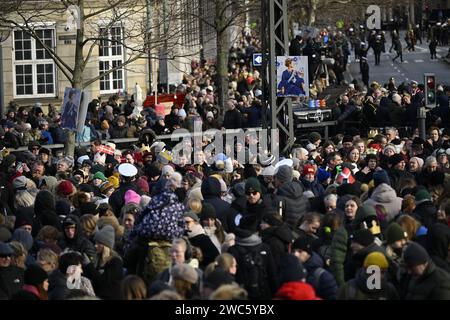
column 324, row 283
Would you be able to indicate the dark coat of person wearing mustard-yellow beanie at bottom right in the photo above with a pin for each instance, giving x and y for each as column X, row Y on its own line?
column 356, row 289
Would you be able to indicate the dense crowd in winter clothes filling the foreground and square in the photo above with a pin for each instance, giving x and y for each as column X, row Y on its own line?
column 147, row 222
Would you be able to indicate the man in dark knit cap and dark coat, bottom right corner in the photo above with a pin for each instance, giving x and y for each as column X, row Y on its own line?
column 427, row 281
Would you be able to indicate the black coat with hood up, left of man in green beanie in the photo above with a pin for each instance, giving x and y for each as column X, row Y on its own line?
column 211, row 194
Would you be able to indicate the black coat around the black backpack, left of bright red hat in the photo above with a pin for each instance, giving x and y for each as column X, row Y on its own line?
column 253, row 243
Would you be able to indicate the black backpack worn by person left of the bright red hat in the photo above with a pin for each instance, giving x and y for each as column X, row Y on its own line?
column 254, row 272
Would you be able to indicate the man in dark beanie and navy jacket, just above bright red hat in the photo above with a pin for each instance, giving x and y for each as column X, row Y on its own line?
column 322, row 280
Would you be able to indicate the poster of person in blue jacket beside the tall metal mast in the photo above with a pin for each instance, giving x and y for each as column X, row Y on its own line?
column 292, row 76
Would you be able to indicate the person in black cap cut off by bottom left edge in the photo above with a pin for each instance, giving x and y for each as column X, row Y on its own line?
column 11, row 277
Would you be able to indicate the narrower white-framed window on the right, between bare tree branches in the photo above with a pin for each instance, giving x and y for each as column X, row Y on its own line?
column 111, row 56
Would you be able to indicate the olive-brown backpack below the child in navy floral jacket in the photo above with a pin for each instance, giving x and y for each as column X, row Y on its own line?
column 156, row 260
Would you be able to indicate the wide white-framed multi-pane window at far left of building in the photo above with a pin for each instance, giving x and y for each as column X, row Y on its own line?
column 34, row 70
